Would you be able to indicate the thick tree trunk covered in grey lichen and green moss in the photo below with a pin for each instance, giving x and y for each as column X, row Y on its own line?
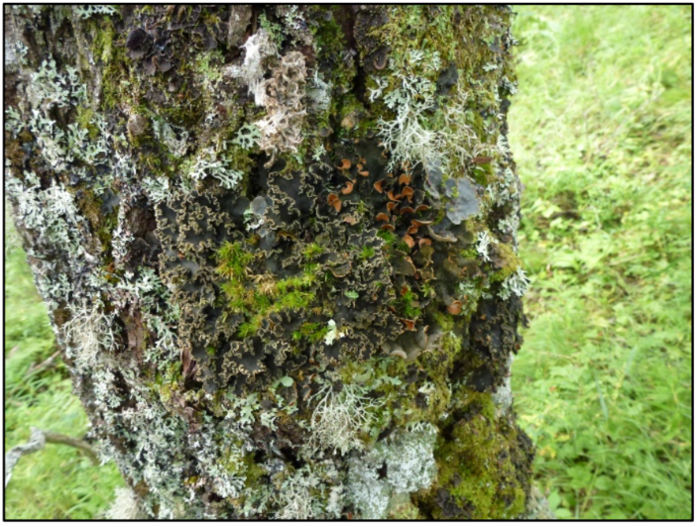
column 278, row 248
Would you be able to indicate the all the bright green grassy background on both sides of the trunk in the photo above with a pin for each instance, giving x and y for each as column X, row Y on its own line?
column 601, row 132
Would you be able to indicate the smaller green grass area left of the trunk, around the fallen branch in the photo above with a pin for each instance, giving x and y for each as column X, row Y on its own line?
column 56, row 482
